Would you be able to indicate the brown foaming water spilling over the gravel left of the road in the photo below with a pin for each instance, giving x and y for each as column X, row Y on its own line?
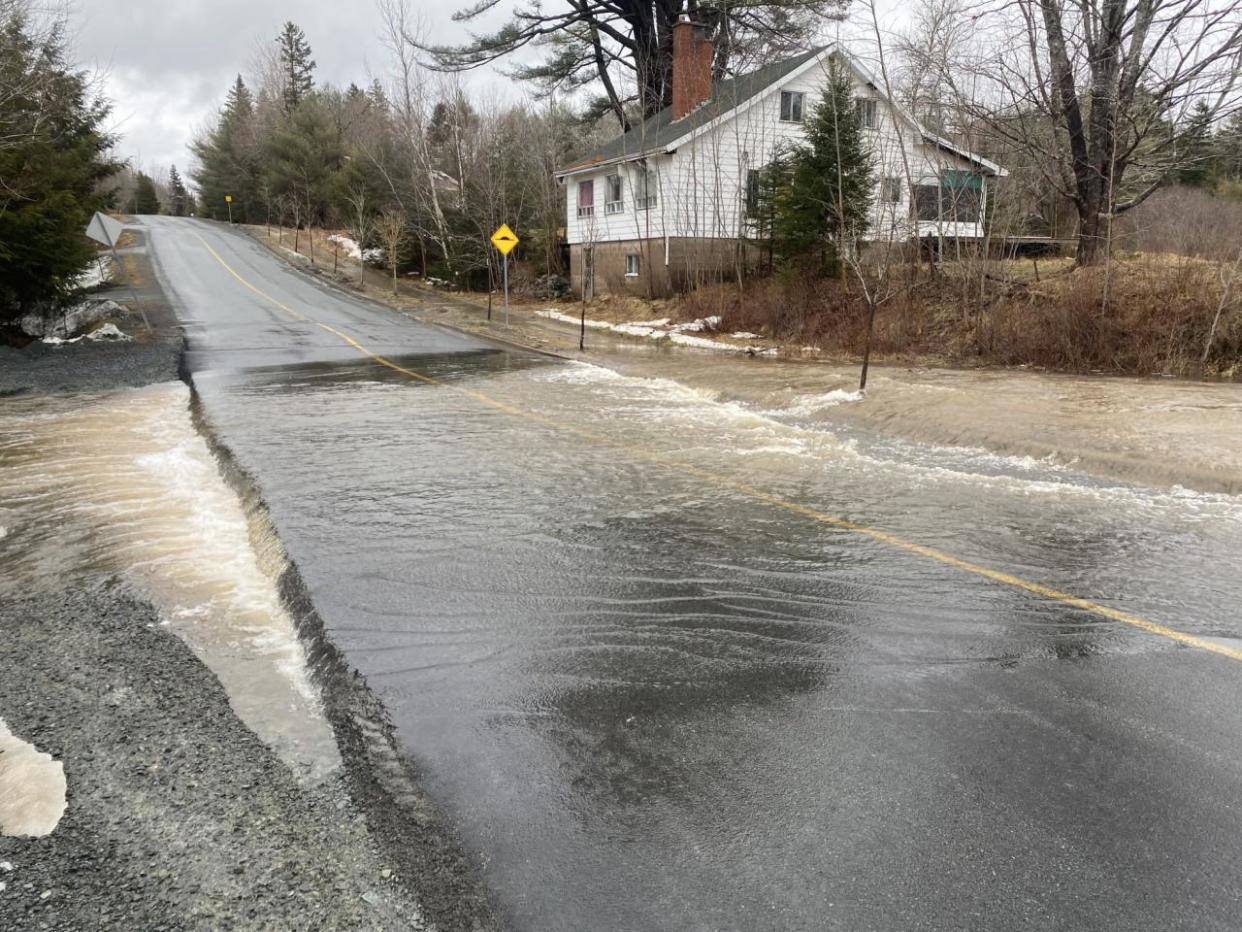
column 121, row 485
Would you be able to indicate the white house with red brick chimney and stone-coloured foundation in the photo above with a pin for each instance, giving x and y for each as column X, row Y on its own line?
column 666, row 204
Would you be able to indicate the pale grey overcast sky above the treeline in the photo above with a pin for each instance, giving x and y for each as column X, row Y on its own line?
column 167, row 64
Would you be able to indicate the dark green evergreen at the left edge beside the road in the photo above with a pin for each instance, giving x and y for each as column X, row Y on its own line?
column 54, row 155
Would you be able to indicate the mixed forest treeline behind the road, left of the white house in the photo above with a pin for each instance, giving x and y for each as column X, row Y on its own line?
column 294, row 152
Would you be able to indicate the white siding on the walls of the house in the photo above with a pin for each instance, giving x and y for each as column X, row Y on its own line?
column 702, row 183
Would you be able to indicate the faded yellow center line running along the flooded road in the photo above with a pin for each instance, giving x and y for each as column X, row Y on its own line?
column 772, row 499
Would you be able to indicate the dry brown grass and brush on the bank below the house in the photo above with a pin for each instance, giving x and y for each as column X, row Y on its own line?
column 1142, row 315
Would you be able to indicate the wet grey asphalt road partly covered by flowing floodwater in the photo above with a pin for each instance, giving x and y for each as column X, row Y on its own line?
column 651, row 701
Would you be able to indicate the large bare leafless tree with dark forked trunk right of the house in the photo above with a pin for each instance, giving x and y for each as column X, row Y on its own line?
column 1090, row 91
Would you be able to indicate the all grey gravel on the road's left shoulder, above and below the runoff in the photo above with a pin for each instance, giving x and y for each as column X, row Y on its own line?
column 179, row 817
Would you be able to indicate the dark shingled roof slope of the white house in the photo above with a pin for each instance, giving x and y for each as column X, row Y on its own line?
column 660, row 131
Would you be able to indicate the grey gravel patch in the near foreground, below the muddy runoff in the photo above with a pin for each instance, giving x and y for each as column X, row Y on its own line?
column 178, row 816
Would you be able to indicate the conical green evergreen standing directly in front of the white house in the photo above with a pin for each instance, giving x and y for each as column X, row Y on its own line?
column 824, row 202
